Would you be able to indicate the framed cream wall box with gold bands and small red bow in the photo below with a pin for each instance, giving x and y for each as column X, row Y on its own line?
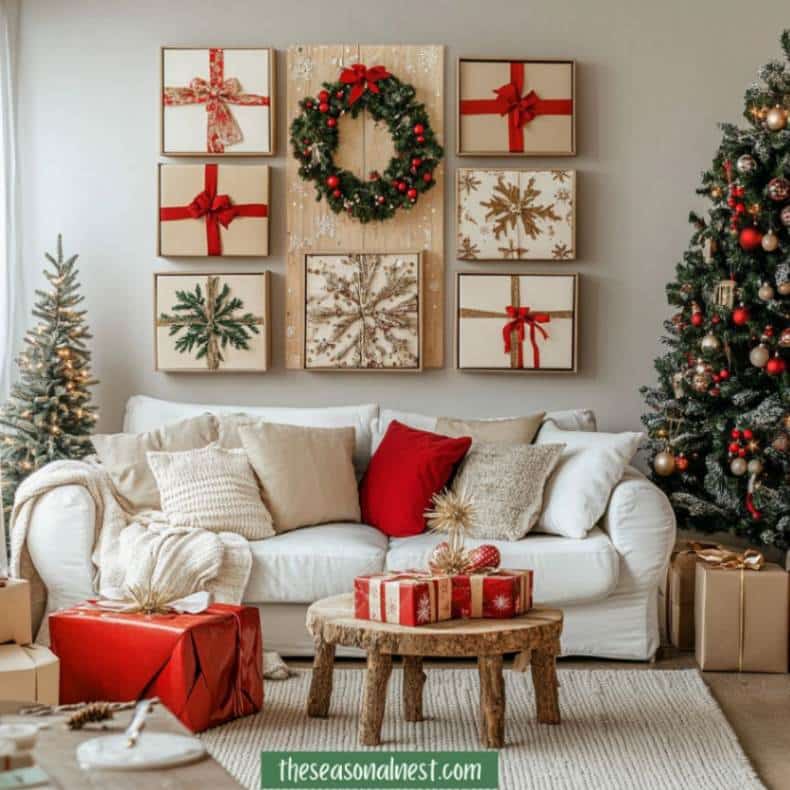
column 517, row 322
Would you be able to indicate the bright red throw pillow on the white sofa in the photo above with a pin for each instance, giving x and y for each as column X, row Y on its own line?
column 406, row 470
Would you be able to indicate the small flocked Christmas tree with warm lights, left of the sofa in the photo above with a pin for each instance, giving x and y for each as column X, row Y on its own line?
column 49, row 415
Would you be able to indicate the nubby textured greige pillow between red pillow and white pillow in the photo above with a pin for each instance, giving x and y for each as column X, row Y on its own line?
column 506, row 482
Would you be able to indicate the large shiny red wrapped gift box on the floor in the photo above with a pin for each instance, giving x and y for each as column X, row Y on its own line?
column 206, row 668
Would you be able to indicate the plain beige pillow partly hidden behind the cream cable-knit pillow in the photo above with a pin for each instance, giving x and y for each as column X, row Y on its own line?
column 123, row 456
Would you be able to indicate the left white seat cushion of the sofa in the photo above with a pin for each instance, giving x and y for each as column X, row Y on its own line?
column 306, row 564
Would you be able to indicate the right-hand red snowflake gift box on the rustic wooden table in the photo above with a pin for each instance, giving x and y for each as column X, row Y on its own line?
column 500, row 594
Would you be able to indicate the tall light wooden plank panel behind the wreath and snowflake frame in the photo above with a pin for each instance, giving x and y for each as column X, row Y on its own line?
column 364, row 147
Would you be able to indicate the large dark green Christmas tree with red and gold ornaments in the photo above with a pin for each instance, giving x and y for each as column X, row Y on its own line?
column 720, row 418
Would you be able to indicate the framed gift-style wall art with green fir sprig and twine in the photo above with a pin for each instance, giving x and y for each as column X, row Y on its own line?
column 211, row 323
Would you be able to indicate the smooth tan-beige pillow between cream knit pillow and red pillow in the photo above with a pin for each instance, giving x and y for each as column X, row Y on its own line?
column 306, row 474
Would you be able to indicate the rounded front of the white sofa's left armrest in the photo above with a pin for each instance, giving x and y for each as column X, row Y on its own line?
column 60, row 540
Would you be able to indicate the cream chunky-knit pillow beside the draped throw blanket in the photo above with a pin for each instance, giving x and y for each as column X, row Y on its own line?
column 213, row 489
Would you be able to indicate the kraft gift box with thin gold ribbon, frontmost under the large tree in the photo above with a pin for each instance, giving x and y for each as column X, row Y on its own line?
column 741, row 618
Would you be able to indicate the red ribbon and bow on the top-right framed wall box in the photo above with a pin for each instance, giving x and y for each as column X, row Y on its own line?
column 520, row 110
